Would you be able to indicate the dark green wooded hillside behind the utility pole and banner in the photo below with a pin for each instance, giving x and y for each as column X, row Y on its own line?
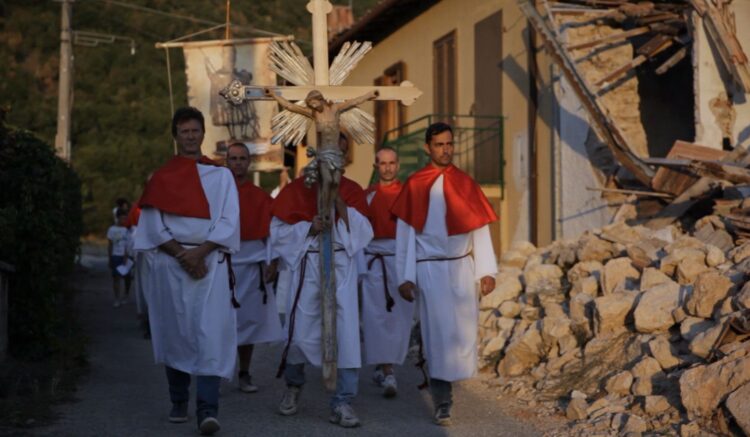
column 121, row 107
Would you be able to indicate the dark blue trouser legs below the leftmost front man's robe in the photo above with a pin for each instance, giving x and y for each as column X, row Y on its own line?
column 207, row 391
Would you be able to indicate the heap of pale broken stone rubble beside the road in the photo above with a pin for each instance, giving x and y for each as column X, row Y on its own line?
column 627, row 329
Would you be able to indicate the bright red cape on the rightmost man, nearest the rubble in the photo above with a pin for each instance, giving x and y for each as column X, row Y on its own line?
column 467, row 207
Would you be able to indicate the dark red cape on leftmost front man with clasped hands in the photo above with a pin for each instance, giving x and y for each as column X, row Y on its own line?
column 176, row 188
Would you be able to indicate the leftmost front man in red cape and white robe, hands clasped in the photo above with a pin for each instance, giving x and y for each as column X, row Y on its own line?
column 189, row 224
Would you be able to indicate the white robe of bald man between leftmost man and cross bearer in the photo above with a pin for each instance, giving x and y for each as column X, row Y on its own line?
column 257, row 322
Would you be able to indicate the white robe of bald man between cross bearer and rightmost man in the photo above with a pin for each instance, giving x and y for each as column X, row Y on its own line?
column 386, row 334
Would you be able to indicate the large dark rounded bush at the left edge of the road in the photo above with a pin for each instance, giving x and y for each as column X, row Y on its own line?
column 41, row 223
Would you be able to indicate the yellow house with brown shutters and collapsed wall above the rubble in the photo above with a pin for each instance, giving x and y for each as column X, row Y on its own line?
column 564, row 108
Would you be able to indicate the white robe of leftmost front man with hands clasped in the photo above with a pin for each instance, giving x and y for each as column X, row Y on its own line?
column 193, row 325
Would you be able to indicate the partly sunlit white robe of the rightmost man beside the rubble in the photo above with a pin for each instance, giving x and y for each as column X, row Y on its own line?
column 446, row 290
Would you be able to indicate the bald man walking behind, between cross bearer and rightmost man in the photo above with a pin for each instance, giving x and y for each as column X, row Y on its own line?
column 386, row 316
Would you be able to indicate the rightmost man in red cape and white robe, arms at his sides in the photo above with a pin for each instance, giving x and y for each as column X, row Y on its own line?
column 443, row 247
